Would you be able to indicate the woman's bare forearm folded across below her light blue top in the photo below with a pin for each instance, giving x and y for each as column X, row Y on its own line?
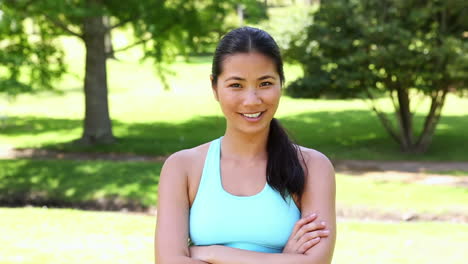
column 227, row 255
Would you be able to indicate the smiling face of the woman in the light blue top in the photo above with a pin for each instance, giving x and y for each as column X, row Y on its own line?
column 248, row 90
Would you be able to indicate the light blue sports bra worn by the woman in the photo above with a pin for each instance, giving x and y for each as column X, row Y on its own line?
column 262, row 222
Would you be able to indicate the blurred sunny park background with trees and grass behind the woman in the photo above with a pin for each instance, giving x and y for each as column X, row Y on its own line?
column 95, row 94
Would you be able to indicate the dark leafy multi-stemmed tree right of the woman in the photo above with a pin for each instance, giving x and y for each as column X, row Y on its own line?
column 397, row 48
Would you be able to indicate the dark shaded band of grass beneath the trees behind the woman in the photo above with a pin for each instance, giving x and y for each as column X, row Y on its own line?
column 338, row 134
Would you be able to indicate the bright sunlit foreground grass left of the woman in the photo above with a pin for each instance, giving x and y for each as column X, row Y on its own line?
column 69, row 236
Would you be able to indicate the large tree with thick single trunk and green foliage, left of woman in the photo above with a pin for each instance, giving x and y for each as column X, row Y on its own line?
column 31, row 59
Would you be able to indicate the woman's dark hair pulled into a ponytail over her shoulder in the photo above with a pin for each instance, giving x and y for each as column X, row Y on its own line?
column 284, row 171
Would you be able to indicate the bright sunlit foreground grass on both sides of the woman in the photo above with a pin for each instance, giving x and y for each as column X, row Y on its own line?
column 40, row 236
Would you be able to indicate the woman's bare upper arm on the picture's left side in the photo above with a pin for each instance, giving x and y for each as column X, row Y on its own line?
column 173, row 213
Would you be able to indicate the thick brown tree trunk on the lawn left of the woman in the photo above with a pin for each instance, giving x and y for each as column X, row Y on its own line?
column 97, row 124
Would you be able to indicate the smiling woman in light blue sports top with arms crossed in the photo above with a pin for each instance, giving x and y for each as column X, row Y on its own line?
column 250, row 196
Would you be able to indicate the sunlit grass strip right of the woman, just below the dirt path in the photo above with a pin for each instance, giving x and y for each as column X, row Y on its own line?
column 391, row 197
